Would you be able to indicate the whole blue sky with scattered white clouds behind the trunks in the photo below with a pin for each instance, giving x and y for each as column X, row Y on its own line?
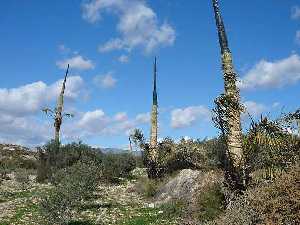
column 110, row 46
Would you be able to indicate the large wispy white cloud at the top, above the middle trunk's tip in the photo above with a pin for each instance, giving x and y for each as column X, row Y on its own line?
column 138, row 25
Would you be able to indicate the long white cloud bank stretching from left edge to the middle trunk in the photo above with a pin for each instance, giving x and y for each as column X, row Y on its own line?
column 22, row 121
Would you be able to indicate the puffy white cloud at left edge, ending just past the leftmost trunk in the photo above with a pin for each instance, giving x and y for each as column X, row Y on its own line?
column 19, row 108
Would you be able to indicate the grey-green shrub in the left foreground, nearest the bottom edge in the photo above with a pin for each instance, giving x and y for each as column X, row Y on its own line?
column 73, row 185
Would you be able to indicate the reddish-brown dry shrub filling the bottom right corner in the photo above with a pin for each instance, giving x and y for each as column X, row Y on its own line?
column 270, row 203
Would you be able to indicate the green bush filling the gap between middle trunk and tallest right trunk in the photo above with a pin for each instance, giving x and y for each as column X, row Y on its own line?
column 187, row 154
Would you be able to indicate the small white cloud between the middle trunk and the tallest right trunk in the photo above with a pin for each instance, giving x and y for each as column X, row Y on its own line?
column 187, row 117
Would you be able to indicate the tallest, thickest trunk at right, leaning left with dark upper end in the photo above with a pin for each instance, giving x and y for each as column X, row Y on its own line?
column 232, row 107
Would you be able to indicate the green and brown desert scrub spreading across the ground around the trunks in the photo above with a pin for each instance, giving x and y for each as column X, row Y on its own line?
column 74, row 172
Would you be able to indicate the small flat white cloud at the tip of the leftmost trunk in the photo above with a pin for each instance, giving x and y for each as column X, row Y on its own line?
column 76, row 62
